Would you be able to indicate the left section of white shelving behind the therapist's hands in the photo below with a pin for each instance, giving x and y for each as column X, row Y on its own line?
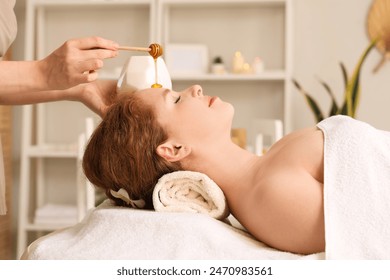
column 50, row 162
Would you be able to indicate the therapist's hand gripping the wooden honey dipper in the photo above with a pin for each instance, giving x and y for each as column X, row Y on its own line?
column 76, row 62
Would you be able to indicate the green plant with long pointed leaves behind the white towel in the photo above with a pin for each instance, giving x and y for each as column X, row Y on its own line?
column 351, row 93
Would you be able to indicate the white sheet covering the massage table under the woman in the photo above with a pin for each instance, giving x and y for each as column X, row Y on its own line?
column 112, row 232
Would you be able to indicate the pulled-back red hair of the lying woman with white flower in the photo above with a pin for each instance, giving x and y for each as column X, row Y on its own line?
column 121, row 152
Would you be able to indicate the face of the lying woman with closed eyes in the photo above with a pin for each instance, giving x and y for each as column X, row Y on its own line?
column 190, row 116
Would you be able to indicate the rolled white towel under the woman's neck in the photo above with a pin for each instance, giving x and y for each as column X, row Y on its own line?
column 188, row 191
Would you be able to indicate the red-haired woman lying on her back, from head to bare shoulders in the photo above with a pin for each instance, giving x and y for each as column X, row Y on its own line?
column 277, row 197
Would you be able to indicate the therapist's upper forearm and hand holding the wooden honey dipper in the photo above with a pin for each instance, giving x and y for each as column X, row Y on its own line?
column 75, row 62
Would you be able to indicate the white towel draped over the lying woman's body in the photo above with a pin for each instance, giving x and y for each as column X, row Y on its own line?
column 356, row 189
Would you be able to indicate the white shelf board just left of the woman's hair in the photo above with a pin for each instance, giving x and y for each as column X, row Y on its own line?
column 53, row 151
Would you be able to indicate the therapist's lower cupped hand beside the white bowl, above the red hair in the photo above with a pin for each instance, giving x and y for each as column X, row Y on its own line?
column 98, row 95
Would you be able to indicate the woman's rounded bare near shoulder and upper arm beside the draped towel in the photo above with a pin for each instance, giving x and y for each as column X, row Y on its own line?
column 289, row 208
